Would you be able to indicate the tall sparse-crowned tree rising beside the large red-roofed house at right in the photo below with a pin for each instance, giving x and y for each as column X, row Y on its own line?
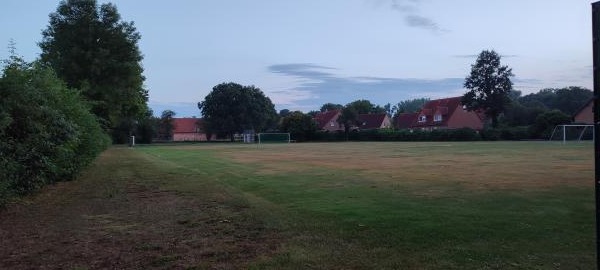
column 489, row 85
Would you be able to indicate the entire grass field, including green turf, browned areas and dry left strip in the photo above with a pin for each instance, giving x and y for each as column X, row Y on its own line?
column 484, row 205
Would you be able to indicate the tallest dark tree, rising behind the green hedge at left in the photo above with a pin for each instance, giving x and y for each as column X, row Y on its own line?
column 93, row 50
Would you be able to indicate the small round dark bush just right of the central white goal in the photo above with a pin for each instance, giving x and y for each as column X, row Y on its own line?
column 301, row 126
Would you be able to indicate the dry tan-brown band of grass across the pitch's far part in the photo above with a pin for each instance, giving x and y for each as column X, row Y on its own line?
column 480, row 166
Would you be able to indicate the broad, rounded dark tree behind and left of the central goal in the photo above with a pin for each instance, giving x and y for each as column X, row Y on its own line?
column 232, row 108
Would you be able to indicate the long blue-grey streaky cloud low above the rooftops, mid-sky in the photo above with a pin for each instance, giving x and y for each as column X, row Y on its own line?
column 316, row 85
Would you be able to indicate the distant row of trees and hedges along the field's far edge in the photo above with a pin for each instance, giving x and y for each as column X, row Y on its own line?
column 231, row 108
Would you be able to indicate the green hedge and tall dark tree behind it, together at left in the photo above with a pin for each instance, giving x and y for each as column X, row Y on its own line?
column 84, row 92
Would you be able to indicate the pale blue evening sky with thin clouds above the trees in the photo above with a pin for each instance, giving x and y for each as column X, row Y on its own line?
column 305, row 53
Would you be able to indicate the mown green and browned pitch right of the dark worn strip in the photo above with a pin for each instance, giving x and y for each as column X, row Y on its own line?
column 498, row 205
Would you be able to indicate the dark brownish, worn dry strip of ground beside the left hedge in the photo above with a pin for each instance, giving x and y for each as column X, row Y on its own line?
column 111, row 219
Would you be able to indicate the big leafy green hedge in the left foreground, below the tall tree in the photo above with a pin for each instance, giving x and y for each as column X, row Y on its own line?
column 47, row 133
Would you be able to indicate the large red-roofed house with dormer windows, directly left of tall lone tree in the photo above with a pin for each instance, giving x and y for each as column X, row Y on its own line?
column 447, row 113
